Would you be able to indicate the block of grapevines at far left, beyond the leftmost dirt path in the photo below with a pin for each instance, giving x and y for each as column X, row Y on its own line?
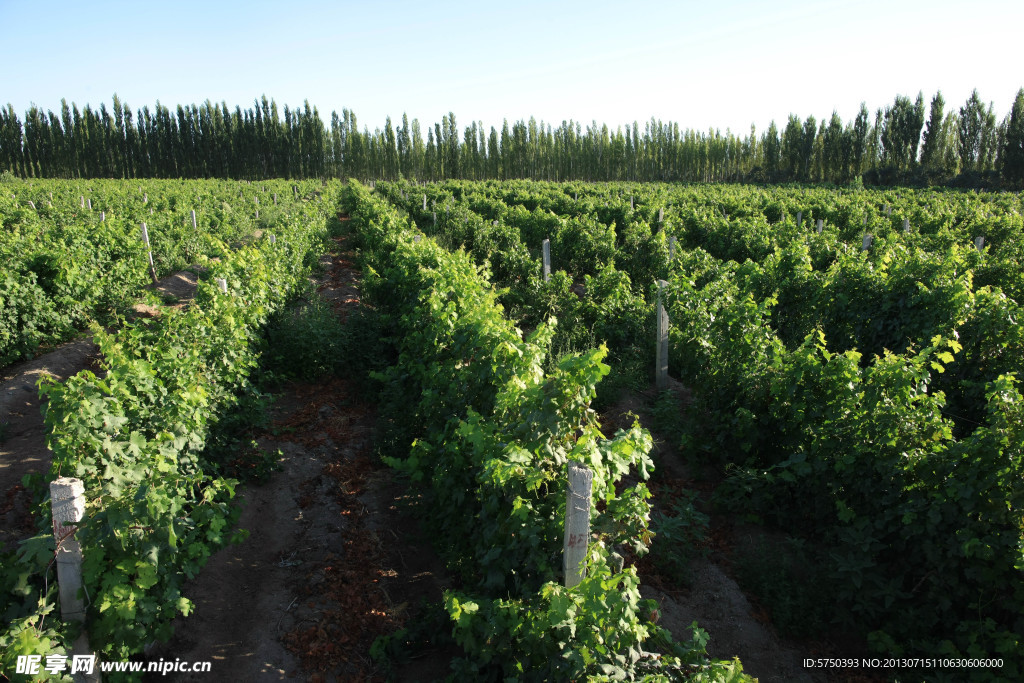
column 72, row 251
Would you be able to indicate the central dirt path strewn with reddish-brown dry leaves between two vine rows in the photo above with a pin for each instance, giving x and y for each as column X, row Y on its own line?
column 334, row 559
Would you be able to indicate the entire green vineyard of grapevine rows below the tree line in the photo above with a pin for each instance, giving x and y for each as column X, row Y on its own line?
column 843, row 372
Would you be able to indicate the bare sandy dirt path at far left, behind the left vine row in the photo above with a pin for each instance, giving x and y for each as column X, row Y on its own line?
column 23, row 435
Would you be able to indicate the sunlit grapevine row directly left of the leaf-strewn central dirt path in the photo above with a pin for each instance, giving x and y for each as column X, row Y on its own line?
column 136, row 433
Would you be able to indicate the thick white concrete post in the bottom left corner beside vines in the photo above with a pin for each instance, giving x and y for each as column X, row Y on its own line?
column 68, row 508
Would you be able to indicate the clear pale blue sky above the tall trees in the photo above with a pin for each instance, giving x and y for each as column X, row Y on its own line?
column 723, row 65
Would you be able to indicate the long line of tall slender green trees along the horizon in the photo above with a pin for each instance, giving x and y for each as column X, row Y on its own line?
column 899, row 146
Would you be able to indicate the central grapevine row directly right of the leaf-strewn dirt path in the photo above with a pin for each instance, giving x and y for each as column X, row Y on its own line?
column 494, row 436
